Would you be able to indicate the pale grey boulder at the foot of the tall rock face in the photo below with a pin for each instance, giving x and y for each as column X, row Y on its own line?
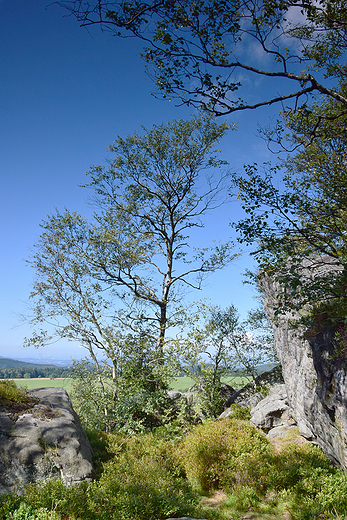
column 272, row 411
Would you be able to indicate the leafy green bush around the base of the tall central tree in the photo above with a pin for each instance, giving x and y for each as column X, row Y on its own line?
column 135, row 402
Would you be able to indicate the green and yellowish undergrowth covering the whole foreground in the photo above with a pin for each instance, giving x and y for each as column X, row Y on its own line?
column 172, row 472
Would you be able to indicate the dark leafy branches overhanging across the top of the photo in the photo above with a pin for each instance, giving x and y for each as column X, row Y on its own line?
column 198, row 52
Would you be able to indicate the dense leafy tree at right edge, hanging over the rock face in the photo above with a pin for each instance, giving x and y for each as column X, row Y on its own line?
column 296, row 214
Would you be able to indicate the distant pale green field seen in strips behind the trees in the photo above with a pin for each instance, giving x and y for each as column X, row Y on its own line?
column 179, row 383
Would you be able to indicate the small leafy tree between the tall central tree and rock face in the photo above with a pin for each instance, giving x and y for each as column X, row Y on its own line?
column 224, row 345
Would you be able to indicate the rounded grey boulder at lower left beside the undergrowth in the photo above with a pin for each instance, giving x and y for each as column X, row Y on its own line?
column 45, row 441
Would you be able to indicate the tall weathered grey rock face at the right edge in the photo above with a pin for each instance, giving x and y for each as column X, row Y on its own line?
column 315, row 379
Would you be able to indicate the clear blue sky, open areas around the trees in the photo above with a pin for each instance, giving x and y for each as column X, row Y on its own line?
column 66, row 93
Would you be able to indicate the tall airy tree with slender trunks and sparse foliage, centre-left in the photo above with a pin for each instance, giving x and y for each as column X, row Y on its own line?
column 115, row 283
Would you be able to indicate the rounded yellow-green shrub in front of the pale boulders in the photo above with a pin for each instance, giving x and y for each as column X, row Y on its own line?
column 217, row 455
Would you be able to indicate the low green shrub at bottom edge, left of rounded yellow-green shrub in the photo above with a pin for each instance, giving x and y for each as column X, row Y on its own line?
column 140, row 488
